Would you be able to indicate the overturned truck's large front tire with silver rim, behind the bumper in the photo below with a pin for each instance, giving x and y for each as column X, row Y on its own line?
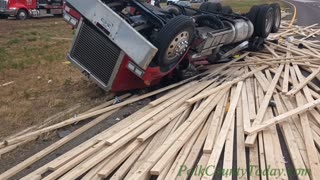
column 172, row 41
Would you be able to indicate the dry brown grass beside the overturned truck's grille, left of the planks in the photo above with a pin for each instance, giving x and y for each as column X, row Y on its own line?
column 31, row 58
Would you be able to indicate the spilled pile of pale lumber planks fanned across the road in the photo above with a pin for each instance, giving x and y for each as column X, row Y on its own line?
column 236, row 120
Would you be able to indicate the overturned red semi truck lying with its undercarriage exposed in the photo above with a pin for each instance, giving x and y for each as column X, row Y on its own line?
column 126, row 44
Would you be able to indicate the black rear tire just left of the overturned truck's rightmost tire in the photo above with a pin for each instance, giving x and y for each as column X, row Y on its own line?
column 264, row 21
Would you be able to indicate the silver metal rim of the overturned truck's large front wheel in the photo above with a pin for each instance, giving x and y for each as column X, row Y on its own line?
column 178, row 46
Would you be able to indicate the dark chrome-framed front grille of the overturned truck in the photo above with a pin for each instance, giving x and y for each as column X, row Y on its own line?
column 96, row 54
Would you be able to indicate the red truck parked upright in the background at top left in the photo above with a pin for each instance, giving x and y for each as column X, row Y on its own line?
column 23, row 9
